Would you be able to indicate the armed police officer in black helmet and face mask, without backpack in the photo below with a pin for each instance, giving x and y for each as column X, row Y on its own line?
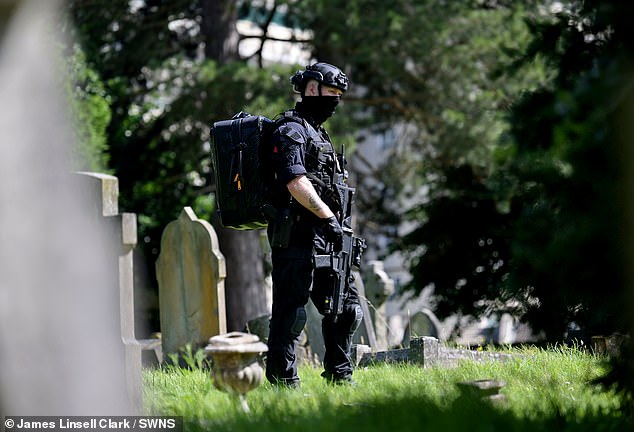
column 308, row 224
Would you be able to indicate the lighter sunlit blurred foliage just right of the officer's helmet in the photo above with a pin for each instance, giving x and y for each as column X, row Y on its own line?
column 427, row 74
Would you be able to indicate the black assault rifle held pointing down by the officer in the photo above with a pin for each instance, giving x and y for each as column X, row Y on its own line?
column 341, row 262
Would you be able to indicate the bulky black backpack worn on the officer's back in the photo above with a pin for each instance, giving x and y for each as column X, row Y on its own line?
column 240, row 154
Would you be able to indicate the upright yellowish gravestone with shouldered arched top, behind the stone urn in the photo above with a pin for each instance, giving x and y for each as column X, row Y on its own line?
column 191, row 273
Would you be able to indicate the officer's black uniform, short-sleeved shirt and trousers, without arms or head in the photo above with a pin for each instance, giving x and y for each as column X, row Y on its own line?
column 299, row 148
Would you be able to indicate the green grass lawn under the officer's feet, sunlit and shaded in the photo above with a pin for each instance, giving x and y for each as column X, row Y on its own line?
column 546, row 390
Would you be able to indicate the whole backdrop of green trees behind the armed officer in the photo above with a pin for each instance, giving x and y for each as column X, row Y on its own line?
column 498, row 118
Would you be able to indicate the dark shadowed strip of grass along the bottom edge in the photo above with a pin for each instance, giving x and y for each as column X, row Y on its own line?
column 415, row 414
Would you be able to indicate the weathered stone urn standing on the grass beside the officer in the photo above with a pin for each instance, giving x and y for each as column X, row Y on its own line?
column 236, row 369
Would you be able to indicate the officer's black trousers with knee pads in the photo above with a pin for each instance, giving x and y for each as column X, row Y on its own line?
column 294, row 282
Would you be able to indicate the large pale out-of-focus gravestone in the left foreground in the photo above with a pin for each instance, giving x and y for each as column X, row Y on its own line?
column 60, row 340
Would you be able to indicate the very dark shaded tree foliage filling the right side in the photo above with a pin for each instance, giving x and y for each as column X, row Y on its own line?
column 539, row 233
